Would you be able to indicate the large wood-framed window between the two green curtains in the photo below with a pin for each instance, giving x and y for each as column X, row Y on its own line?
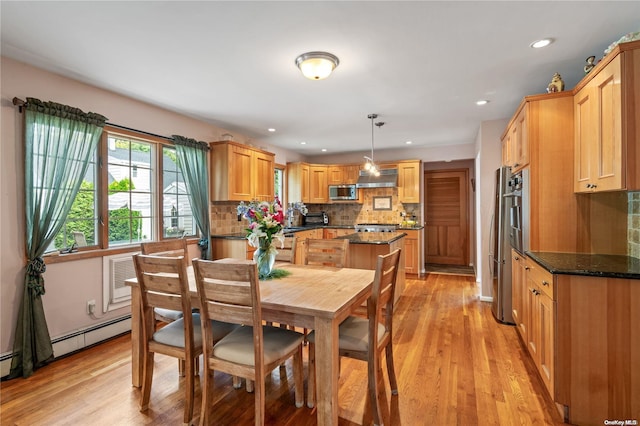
column 144, row 191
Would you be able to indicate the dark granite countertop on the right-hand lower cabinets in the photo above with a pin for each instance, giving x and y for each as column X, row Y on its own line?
column 595, row 265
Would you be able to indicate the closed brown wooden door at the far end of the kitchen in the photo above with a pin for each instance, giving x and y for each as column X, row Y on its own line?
column 447, row 217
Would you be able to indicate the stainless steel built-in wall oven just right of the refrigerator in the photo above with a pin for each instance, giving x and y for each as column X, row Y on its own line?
column 519, row 211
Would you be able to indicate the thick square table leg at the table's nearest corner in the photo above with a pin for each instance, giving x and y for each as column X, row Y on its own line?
column 327, row 371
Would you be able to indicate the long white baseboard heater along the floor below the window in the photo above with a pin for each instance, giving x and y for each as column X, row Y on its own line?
column 78, row 340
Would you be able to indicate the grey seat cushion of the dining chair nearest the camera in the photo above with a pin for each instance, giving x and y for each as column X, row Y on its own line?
column 237, row 346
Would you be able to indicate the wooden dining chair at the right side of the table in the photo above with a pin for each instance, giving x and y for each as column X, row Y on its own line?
column 354, row 339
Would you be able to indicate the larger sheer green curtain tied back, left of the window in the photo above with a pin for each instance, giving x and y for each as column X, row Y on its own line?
column 59, row 143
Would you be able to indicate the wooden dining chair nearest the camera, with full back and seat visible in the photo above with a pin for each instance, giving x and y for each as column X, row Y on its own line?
column 229, row 291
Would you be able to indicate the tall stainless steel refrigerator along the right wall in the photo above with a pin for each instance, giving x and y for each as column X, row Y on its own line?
column 500, row 249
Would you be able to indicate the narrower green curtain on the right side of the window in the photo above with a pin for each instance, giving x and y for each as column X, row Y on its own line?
column 192, row 160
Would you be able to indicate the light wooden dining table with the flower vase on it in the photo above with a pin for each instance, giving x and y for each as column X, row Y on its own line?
column 313, row 297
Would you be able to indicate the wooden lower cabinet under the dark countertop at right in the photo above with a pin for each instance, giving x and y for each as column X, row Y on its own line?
column 583, row 336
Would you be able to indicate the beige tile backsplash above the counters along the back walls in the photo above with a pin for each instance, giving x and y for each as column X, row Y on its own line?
column 224, row 219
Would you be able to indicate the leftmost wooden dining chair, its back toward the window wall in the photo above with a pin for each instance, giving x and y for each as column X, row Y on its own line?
column 164, row 284
